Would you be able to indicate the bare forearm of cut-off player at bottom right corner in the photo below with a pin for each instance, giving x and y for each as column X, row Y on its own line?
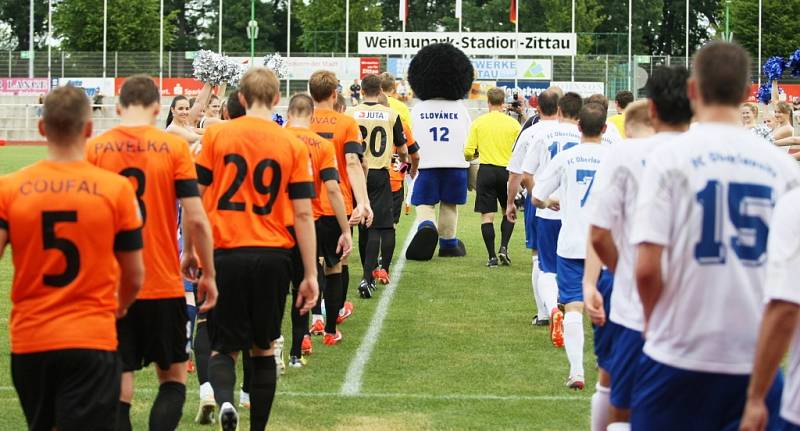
column 774, row 338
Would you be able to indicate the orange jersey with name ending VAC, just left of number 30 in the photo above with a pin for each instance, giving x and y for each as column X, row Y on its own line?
column 343, row 131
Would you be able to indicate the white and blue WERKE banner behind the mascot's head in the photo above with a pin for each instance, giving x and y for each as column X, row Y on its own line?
column 487, row 69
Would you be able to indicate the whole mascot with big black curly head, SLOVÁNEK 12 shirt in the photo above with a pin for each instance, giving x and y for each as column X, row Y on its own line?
column 441, row 76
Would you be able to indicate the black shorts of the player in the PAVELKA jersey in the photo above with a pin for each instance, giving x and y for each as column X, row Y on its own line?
column 154, row 330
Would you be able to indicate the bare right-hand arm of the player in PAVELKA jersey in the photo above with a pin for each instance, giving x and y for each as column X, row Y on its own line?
column 196, row 225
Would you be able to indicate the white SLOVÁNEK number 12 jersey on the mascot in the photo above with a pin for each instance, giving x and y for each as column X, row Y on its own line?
column 441, row 128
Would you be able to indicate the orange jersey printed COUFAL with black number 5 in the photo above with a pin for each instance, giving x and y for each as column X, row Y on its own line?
column 64, row 222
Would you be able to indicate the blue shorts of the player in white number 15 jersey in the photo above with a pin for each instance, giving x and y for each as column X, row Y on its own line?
column 668, row 398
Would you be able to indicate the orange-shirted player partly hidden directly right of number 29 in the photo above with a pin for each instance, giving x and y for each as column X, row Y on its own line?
column 334, row 240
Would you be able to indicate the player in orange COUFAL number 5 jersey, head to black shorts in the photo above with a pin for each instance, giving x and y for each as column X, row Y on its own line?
column 77, row 267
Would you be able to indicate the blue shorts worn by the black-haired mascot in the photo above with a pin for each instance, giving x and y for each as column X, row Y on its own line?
column 446, row 185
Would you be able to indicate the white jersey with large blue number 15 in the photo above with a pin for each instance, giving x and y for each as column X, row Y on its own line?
column 708, row 198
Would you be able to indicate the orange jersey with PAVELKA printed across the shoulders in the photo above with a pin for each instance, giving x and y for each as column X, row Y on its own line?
column 160, row 167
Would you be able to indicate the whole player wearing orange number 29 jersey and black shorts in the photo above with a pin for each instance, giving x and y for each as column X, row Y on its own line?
column 254, row 176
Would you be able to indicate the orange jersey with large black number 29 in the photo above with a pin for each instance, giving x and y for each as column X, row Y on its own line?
column 252, row 168
